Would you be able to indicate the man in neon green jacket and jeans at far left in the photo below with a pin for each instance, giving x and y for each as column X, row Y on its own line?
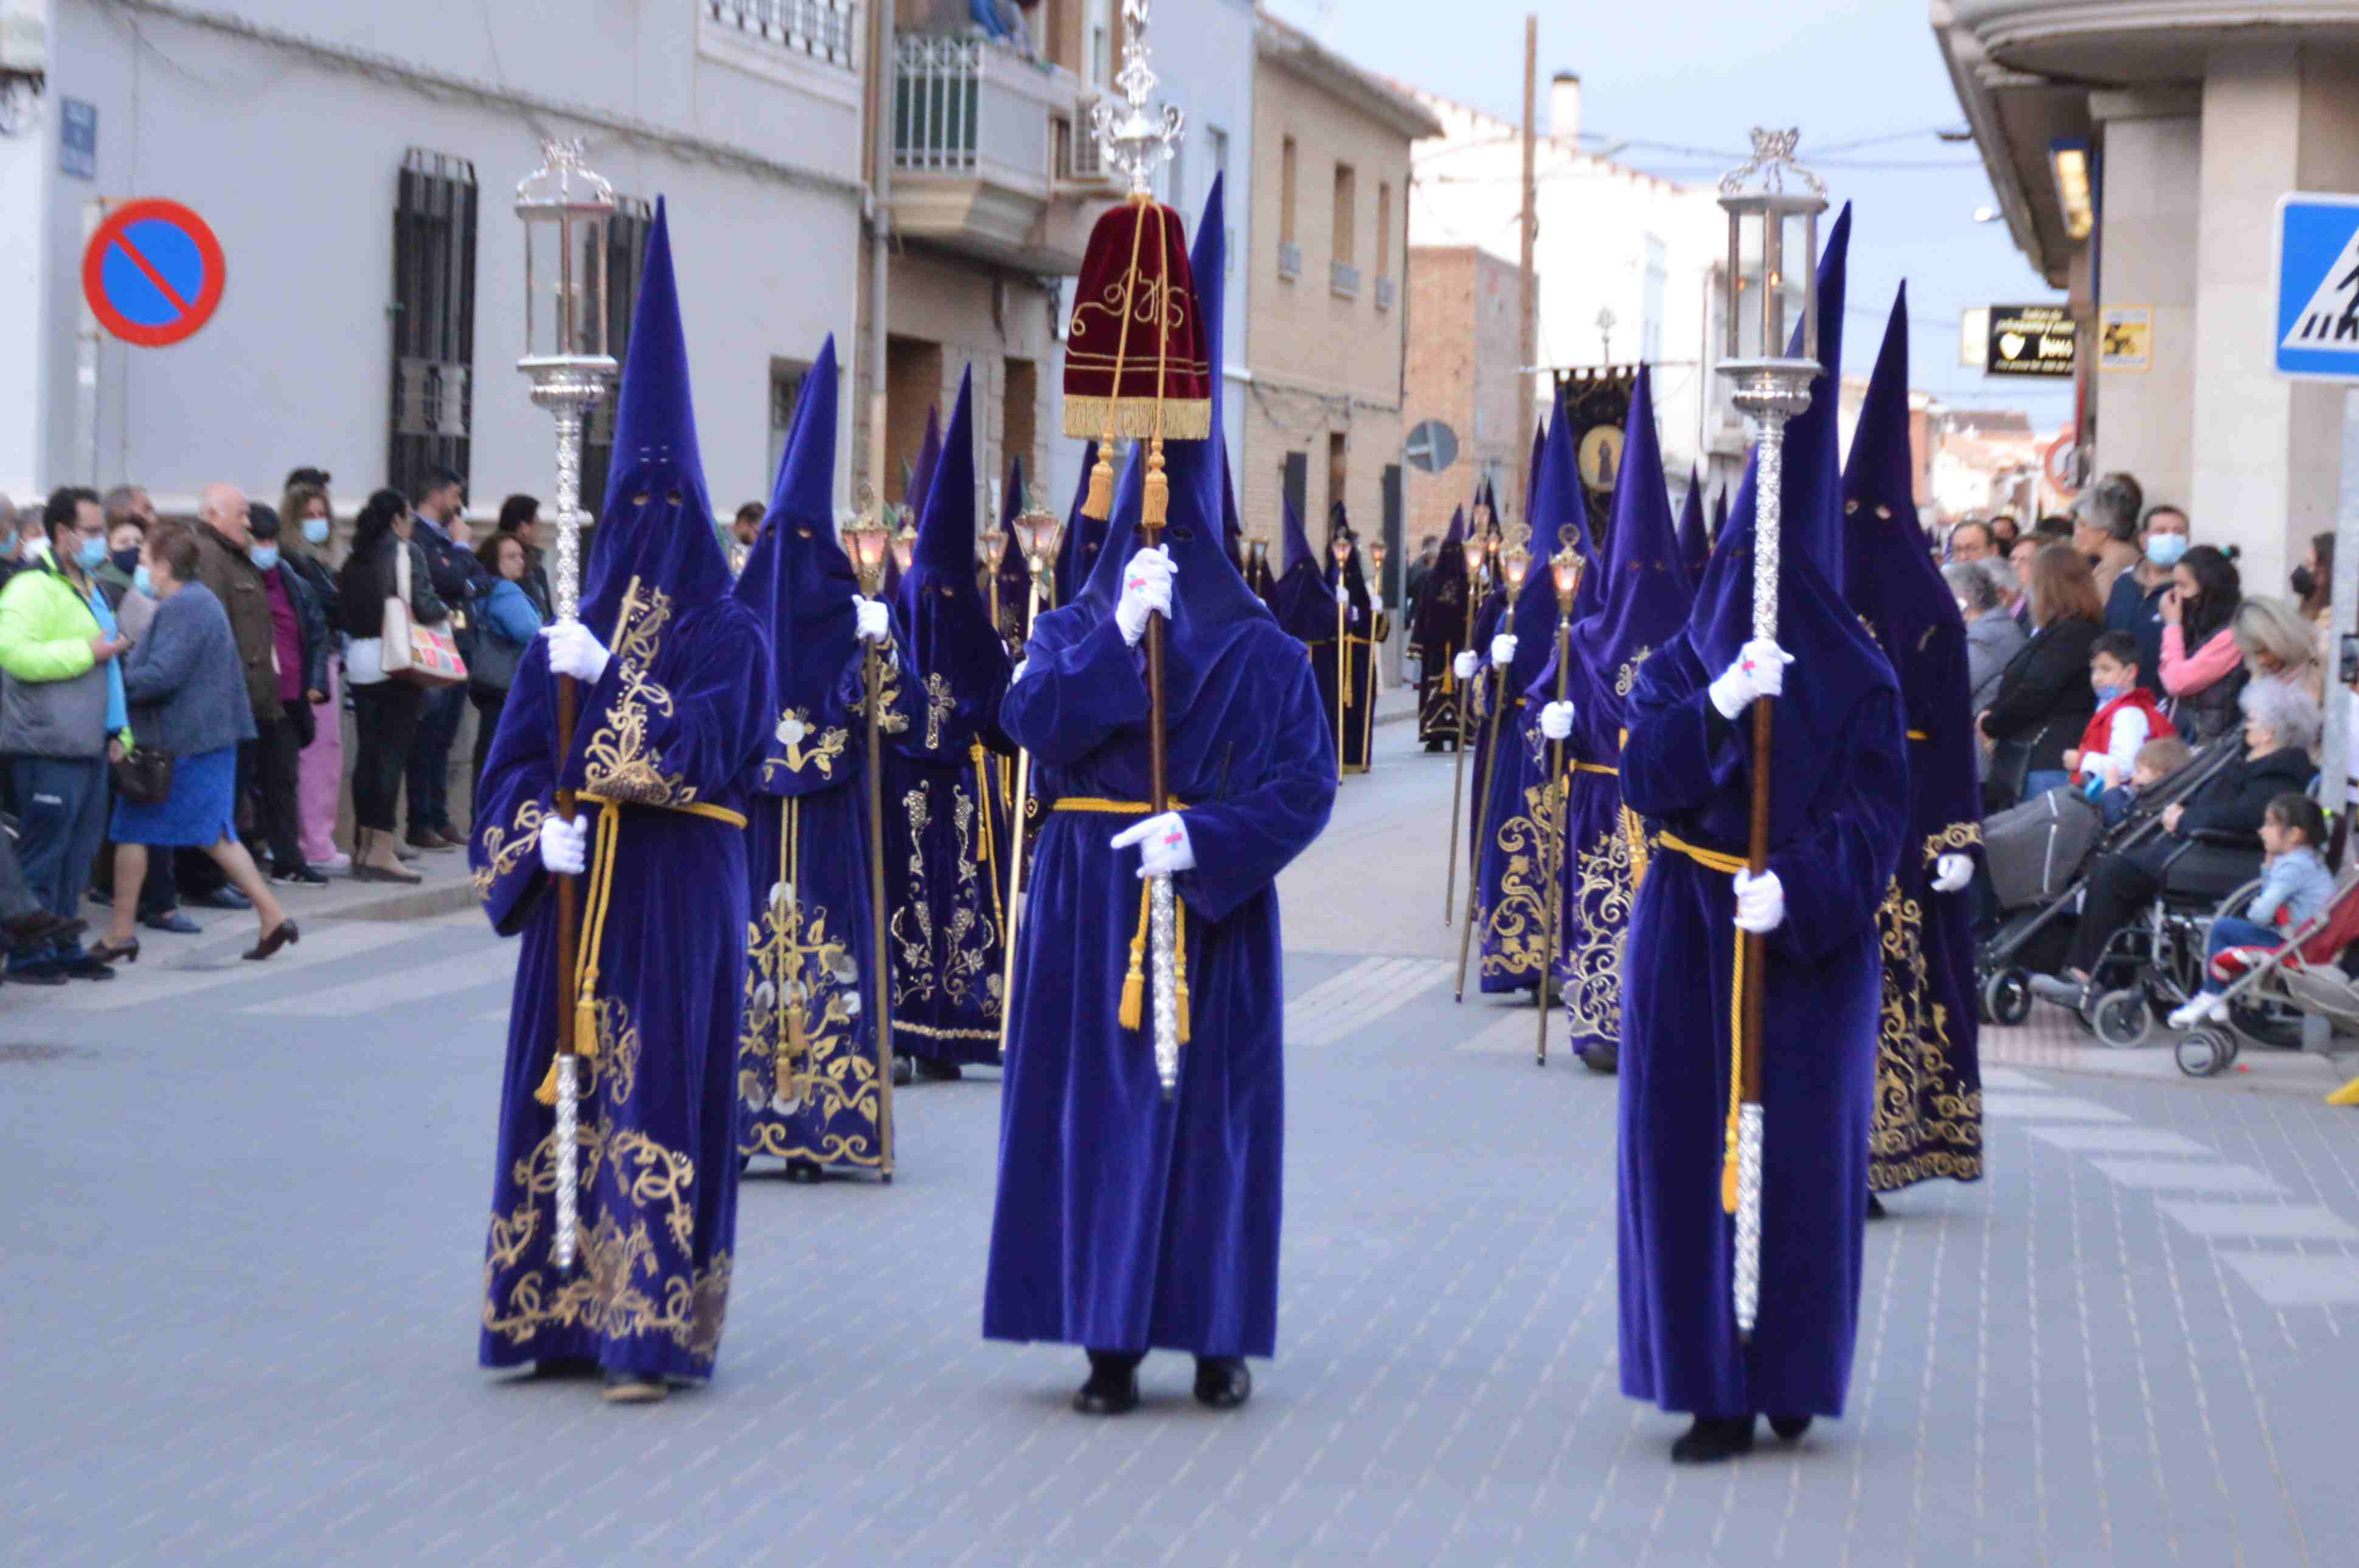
column 60, row 701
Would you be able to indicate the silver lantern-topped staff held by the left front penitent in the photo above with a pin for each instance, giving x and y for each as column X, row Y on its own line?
column 565, row 213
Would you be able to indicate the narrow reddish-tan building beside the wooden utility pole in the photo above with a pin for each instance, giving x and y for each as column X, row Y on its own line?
column 1461, row 371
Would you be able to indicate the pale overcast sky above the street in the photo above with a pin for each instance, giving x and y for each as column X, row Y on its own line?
column 1862, row 81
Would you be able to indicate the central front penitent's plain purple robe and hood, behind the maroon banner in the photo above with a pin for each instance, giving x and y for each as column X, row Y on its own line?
column 1126, row 1223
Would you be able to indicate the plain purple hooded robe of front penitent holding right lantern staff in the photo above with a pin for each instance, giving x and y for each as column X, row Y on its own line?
column 1839, row 812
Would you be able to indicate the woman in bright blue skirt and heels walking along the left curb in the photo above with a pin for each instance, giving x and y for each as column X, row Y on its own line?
column 178, row 782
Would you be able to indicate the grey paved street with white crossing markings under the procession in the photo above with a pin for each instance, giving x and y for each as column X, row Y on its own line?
column 249, row 1213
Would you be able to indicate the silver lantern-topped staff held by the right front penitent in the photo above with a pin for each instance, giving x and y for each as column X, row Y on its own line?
column 1782, row 230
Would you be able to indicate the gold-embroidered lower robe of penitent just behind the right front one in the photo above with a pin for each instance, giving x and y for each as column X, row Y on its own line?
column 1926, row 1126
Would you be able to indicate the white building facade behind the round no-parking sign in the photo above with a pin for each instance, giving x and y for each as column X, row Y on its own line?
column 357, row 164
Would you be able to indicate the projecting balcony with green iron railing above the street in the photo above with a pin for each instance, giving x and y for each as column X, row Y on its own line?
column 992, row 154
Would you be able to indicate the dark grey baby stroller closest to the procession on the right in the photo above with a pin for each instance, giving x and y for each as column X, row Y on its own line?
column 2039, row 859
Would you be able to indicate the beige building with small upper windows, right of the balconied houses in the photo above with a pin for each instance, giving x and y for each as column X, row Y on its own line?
column 1327, row 327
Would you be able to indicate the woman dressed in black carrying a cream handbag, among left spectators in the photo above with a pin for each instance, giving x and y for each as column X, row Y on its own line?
column 386, row 579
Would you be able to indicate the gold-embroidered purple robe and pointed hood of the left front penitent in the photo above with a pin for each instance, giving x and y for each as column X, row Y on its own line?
column 662, row 756
